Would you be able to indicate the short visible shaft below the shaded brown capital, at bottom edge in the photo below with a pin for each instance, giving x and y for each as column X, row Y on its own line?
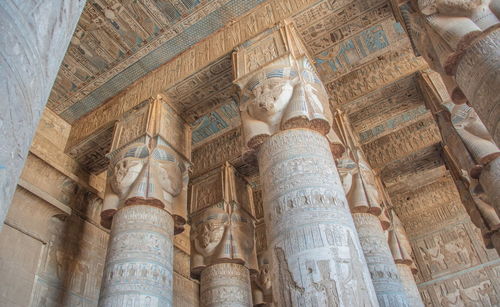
column 225, row 285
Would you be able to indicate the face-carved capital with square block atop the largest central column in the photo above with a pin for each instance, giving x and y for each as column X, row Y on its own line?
column 280, row 88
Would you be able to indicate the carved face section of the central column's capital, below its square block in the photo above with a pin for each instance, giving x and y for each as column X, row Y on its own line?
column 283, row 96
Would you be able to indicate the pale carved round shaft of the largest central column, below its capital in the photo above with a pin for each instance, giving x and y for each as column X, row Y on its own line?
column 317, row 258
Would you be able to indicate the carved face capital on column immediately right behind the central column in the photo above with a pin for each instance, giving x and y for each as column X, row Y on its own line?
column 359, row 183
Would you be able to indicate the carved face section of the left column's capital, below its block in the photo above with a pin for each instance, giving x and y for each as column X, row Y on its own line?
column 142, row 173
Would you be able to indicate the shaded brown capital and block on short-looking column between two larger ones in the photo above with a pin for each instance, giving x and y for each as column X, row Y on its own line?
column 222, row 220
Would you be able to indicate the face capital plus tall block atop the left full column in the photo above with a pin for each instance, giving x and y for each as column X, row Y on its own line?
column 145, row 169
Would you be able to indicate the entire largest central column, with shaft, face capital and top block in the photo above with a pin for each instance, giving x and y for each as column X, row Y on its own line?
column 316, row 256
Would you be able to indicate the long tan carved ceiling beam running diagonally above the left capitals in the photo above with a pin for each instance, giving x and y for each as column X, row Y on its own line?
column 200, row 55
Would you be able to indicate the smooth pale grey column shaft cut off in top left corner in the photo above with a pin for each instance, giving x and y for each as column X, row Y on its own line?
column 35, row 37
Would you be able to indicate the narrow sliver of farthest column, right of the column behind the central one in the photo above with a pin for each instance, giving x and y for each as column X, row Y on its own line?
column 401, row 252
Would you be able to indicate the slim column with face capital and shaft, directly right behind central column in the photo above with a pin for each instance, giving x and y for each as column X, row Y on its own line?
column 364, row 201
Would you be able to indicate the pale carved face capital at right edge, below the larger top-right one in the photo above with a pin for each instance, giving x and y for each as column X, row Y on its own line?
column 474, row 134
